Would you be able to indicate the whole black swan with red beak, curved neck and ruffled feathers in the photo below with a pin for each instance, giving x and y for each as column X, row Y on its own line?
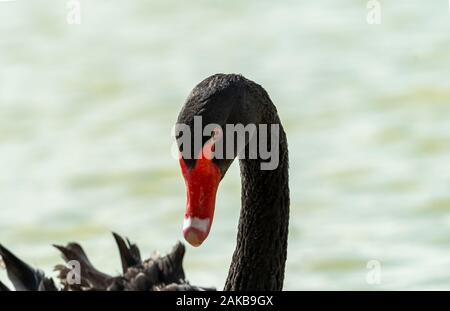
column 258, row 262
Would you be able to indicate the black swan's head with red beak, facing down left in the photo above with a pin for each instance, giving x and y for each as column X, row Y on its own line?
column 205, row 152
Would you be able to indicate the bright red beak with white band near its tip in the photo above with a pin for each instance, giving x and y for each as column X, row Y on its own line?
column 202, row 182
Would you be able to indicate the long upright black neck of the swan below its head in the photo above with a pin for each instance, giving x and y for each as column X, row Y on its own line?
column 259, row 259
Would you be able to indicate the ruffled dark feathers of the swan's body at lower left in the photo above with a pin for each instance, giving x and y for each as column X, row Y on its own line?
column 157, row 273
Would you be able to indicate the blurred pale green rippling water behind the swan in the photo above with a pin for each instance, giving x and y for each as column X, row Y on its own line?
column 86, row 113
